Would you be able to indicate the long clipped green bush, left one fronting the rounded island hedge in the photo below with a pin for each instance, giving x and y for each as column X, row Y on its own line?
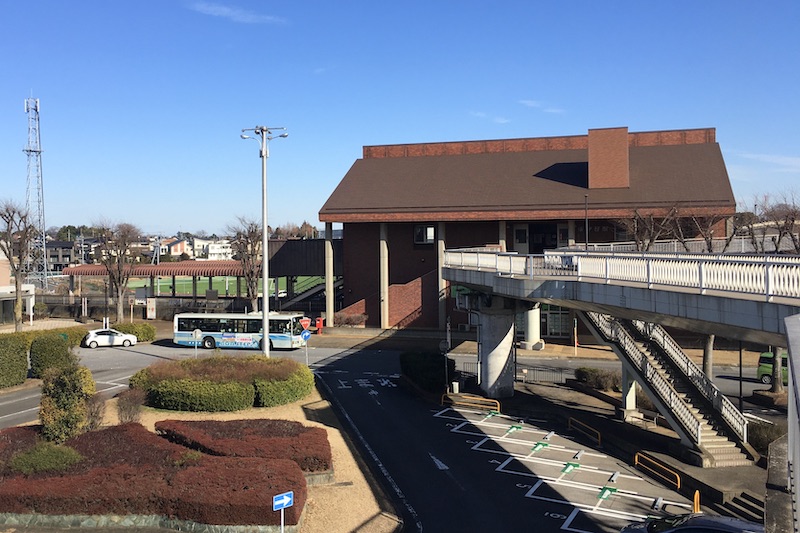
column 201, row 395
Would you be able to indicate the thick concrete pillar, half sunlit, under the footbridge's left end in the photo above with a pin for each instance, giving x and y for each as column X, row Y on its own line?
column 497, row 347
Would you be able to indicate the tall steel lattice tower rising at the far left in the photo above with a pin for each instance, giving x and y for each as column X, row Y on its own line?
column 36, row 264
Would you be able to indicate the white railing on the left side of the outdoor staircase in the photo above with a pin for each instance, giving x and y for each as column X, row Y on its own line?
column 613, row 331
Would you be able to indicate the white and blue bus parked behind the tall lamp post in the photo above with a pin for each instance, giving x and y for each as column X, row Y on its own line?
column 236, row 330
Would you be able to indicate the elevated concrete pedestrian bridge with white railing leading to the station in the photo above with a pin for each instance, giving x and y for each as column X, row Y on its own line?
column 743, row 297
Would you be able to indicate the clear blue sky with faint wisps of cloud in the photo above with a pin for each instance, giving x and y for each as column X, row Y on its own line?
column 142, row 102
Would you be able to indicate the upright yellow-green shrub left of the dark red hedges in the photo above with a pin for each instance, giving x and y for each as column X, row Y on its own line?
column 65, row 393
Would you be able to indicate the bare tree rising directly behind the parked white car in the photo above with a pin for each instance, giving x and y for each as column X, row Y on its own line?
column 116, row 254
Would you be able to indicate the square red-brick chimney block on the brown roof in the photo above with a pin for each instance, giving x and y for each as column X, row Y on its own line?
column 608, row 158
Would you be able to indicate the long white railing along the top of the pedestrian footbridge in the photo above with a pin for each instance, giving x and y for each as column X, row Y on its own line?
column 764, row 276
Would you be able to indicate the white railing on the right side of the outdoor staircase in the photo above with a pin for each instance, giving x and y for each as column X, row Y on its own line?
column 721, row 403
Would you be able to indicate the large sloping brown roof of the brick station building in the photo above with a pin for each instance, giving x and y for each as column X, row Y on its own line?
column 530, row 185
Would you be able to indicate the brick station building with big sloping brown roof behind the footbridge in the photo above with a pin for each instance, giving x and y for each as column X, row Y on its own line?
column 402, row 205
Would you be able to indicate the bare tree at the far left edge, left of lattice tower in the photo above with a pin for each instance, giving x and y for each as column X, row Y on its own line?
column 17, row 236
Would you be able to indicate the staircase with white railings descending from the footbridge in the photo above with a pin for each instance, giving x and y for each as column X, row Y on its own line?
column 705, row 420
